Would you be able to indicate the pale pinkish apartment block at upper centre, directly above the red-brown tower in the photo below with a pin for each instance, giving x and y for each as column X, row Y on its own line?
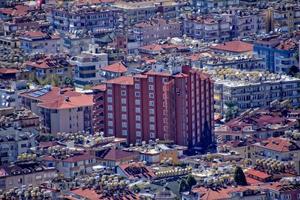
column 147, row 32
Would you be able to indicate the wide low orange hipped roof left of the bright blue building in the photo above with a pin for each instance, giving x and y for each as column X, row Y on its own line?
column 234, row 46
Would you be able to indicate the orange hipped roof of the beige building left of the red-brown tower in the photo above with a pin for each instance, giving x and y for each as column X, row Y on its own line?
column 64, row 102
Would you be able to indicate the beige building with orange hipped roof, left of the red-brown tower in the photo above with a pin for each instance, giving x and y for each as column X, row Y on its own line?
column 61, row 110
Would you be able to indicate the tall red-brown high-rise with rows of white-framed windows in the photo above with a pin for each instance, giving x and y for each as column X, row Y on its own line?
column 159, row 105
